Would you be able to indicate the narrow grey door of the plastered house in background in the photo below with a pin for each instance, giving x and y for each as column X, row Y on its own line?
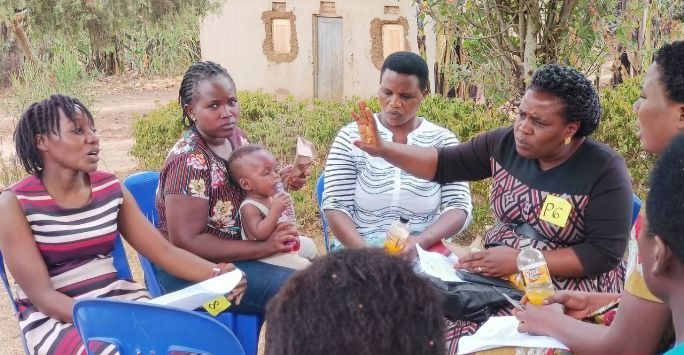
column 329, row 58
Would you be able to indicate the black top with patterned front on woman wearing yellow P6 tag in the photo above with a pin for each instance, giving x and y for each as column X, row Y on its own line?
column 594, row 180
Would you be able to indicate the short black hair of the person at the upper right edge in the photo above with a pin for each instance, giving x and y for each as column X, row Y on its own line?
column 670, row 60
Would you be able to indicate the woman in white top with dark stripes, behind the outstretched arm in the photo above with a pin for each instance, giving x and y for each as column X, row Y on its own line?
column 364, row 194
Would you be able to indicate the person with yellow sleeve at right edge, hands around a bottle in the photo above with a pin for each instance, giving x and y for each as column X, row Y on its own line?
column 638, row 320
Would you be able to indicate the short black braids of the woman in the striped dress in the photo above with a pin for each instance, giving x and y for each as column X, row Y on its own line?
column 43, row 118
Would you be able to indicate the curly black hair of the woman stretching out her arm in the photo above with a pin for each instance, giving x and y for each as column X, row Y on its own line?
column 576, row 93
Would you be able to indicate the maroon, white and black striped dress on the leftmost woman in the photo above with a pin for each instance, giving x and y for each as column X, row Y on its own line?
column 76, row 244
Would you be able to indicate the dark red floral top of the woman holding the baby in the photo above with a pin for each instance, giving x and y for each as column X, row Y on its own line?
column 193, row 169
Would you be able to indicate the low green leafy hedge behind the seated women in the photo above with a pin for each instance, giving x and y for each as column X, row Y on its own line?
column 277, row 124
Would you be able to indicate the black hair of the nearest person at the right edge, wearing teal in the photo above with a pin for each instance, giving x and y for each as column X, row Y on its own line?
column 664, row 207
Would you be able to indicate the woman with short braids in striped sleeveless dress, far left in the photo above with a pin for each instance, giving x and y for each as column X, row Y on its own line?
column 58, row 228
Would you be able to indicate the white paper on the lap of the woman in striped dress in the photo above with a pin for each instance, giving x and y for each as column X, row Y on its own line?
column 197, row 295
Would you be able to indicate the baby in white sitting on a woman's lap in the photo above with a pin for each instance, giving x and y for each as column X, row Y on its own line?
column 254, row 170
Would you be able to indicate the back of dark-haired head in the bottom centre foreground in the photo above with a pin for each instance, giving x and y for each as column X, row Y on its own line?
column 361, row 302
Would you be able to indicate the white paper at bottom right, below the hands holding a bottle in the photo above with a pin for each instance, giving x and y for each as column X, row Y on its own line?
column 503, row 331
